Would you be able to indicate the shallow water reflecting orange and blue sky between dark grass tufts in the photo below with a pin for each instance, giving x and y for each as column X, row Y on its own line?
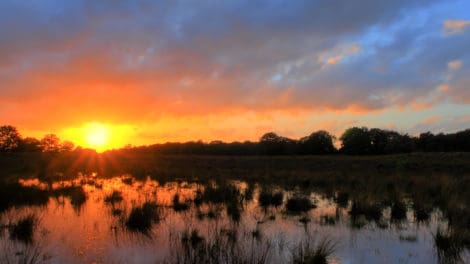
column 96, row 231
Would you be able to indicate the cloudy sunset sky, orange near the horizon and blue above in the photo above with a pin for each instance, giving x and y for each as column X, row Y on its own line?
column 158, row 71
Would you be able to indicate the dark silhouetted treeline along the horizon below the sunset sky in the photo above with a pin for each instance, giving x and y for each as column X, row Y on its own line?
column 354, row 141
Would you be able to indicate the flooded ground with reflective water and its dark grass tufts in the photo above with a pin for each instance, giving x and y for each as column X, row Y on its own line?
column 125, row 220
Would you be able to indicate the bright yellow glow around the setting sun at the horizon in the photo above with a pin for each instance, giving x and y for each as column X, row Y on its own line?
column 99, row 136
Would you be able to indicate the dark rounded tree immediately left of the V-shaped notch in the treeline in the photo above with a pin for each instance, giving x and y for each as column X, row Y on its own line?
column 320, row 142
